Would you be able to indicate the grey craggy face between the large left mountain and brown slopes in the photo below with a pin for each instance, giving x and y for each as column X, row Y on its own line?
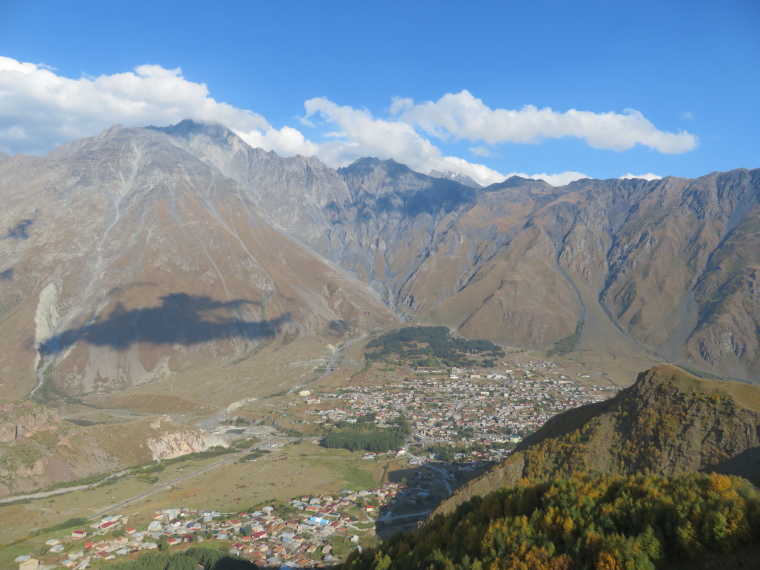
column 378, row 219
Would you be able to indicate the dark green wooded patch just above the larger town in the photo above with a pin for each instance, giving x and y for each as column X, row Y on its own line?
column 432, row 346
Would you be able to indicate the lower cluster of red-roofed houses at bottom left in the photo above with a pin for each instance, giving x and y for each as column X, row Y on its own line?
column 300, row 533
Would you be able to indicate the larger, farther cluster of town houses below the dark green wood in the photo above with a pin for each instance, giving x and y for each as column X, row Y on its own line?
column 497, row 407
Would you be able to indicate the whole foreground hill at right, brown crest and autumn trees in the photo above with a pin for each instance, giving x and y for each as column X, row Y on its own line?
column 581, row 492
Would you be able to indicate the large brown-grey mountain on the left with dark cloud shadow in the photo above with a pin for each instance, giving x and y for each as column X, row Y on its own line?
column 171, row 262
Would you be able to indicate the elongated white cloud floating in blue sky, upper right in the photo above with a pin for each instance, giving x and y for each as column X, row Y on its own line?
column 461, row 115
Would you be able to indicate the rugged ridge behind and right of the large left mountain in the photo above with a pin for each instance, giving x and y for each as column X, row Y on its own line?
column 664, row 266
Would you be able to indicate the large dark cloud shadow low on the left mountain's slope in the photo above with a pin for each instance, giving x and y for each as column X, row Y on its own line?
column 179, row 319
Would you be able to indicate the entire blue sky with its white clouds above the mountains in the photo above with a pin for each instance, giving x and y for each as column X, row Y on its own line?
column 601, row 89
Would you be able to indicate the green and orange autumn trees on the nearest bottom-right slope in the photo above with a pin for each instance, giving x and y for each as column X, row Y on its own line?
column 587, row 521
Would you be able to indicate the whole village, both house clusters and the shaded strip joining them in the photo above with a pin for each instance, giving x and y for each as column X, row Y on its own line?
column 481, row 415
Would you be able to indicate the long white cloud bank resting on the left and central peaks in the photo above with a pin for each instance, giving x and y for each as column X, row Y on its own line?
column 40, row 110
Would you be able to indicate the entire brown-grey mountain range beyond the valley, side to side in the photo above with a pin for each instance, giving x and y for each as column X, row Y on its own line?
column 147, row 254
